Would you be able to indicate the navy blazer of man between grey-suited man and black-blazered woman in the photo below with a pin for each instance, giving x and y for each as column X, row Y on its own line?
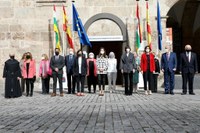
column 69, row 64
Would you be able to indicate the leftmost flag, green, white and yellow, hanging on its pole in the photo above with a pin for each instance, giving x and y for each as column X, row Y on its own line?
column 56, row 30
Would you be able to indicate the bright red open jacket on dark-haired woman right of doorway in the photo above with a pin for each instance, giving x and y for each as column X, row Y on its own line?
column 143, row 64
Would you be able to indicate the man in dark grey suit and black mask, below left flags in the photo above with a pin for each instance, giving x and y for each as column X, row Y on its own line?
column 57, row 63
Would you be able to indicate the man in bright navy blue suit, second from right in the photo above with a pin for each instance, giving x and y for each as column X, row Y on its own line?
column 168, row 67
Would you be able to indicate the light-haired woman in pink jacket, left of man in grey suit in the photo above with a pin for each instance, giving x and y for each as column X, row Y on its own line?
column 44, row 73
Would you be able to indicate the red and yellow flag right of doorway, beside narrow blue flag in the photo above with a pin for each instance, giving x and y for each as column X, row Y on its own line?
column 148, row 26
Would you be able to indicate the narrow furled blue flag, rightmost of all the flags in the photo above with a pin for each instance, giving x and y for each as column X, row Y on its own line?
column 159, row 28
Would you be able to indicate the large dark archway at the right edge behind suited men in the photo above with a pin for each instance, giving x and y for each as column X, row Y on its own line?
column 184, row 19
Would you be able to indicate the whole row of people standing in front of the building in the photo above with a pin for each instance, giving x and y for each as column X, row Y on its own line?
column 97, row 70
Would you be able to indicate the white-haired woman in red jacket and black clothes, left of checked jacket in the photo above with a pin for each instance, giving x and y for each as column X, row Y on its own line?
column 91, row 72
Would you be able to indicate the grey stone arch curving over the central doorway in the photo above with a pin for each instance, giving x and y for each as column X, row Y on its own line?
column 111, row 17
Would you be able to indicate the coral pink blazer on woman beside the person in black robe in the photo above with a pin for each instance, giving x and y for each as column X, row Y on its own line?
column 31, row 71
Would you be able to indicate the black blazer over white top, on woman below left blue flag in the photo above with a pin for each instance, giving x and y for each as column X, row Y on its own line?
column 83, row 67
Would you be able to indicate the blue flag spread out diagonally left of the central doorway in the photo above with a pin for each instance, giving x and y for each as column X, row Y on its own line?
column 78, row 26
